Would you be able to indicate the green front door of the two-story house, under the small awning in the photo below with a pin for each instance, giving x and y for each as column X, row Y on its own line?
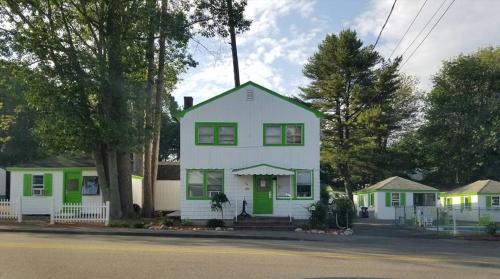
column 263, row 194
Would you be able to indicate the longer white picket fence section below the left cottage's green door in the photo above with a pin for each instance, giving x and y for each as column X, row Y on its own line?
column 80, row 213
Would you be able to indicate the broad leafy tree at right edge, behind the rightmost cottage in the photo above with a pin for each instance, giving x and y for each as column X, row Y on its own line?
column 460, row 139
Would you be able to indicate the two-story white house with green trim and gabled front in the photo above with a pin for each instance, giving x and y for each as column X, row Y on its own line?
column 253, row 144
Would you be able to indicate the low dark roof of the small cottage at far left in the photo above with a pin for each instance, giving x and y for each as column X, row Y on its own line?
column 68, row 161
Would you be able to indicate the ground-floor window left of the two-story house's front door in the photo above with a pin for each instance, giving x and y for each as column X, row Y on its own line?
column 204, row 184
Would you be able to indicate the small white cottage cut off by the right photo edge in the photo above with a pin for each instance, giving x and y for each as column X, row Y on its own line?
column 474, row 200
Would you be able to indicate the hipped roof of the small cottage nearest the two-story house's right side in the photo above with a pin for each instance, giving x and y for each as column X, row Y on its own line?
column 397, row 183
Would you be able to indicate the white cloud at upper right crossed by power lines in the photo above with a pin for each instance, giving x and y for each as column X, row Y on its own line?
column 466, row 27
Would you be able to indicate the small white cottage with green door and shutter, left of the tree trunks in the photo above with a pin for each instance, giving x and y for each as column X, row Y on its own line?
column 58, row 179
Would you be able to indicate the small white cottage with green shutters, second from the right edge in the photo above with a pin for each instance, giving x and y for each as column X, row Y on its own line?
column 383, row 198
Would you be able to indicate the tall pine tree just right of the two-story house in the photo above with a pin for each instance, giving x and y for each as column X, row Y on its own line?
column 364, row 107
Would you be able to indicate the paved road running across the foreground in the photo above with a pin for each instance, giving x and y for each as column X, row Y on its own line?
column 24, row 255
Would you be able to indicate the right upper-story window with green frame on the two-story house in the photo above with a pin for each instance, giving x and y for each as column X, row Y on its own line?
column 283, row 134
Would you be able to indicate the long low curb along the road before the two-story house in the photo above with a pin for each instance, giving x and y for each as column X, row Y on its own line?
column 152, row 233
